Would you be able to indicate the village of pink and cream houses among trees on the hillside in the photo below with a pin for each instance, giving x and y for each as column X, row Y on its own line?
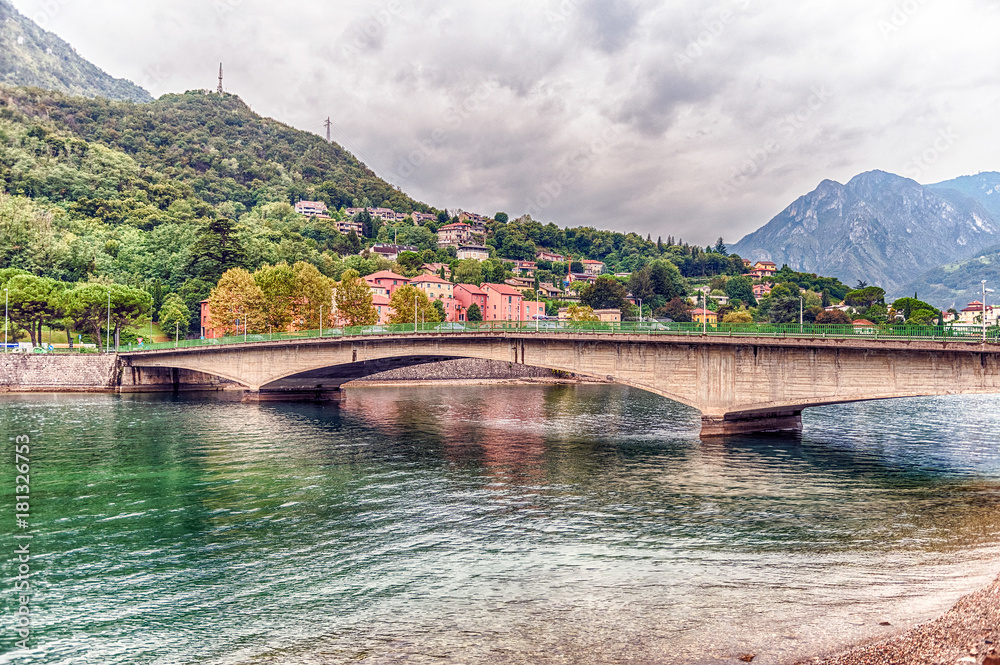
column 566, row 287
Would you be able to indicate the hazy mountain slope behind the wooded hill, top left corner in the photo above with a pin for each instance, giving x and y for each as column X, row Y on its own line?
column 32, row 56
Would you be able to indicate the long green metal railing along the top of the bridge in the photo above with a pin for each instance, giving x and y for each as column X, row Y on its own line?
column 751, row 330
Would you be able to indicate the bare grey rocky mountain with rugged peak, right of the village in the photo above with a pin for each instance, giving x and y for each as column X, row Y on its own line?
column 879, row 228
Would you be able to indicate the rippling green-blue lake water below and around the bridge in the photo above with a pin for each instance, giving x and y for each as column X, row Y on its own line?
column 580, row 524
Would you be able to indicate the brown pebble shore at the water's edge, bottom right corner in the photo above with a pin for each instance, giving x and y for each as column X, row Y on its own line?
column 966, row 634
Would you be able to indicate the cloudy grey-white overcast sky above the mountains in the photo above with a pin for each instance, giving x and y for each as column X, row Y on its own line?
column 687, row 118
